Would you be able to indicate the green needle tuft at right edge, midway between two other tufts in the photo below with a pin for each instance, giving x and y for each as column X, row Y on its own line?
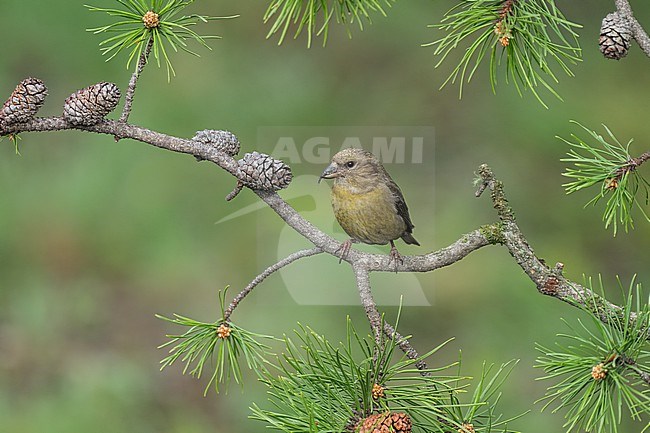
column 609, row 165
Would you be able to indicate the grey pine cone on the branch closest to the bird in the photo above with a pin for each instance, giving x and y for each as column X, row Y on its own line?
column 260, row 171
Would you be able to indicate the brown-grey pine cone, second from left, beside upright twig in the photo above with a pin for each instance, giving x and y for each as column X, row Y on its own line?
column 90, row 105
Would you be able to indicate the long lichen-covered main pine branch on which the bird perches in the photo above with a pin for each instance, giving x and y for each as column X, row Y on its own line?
column 548, row 281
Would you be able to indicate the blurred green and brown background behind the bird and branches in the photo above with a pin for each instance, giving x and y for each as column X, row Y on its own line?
column 96, row 236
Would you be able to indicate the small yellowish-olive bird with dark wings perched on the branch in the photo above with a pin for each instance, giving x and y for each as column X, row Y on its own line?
column 367, row 202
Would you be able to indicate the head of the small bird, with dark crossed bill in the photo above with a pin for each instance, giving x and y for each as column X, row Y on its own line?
column 353, row 165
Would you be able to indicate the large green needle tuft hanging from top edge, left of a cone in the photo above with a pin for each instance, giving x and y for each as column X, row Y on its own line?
column 528, row 36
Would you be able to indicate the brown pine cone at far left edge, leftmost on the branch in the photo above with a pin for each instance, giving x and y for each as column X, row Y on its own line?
column 26, row 99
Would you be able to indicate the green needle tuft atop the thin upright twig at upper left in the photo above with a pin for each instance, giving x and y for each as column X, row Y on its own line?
column 173, row 31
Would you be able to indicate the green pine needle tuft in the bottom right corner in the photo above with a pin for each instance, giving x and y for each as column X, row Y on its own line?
column 600, row 369
